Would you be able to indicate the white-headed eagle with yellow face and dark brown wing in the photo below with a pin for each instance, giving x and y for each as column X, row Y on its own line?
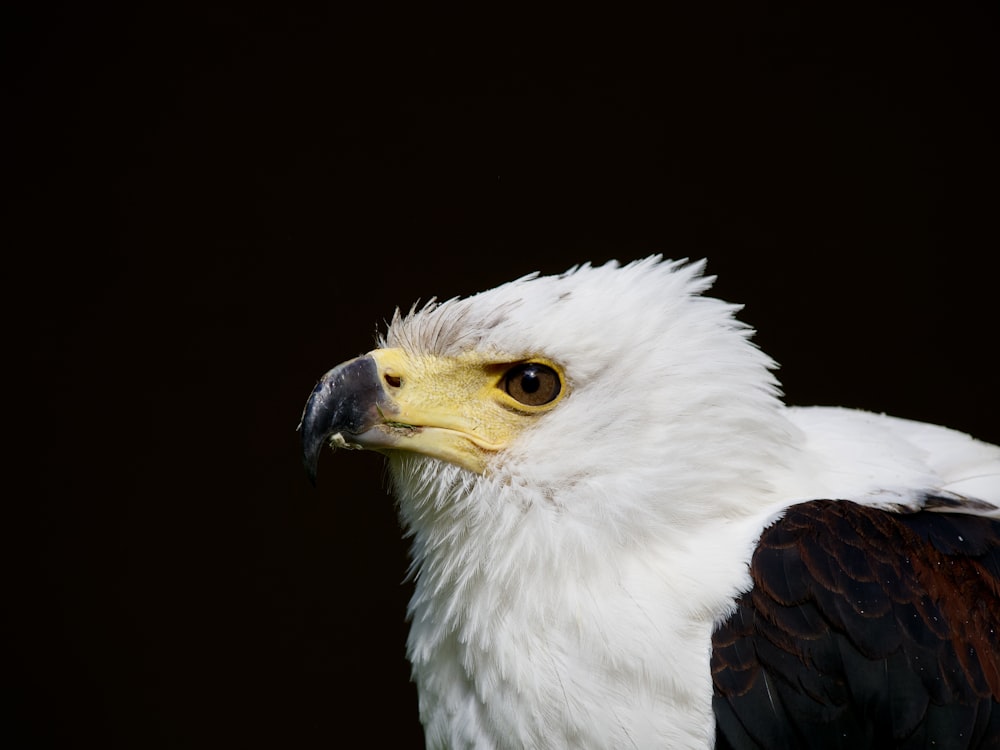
column 623, row 537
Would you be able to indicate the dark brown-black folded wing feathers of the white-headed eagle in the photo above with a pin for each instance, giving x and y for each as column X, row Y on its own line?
column 864, row 629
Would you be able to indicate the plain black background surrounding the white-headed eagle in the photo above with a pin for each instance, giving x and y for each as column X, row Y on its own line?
column 209, row 206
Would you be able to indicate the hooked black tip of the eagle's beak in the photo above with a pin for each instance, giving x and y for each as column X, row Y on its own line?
column 345, row 404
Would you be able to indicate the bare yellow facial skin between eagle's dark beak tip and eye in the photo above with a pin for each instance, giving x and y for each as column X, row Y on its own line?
column 456, row 409
